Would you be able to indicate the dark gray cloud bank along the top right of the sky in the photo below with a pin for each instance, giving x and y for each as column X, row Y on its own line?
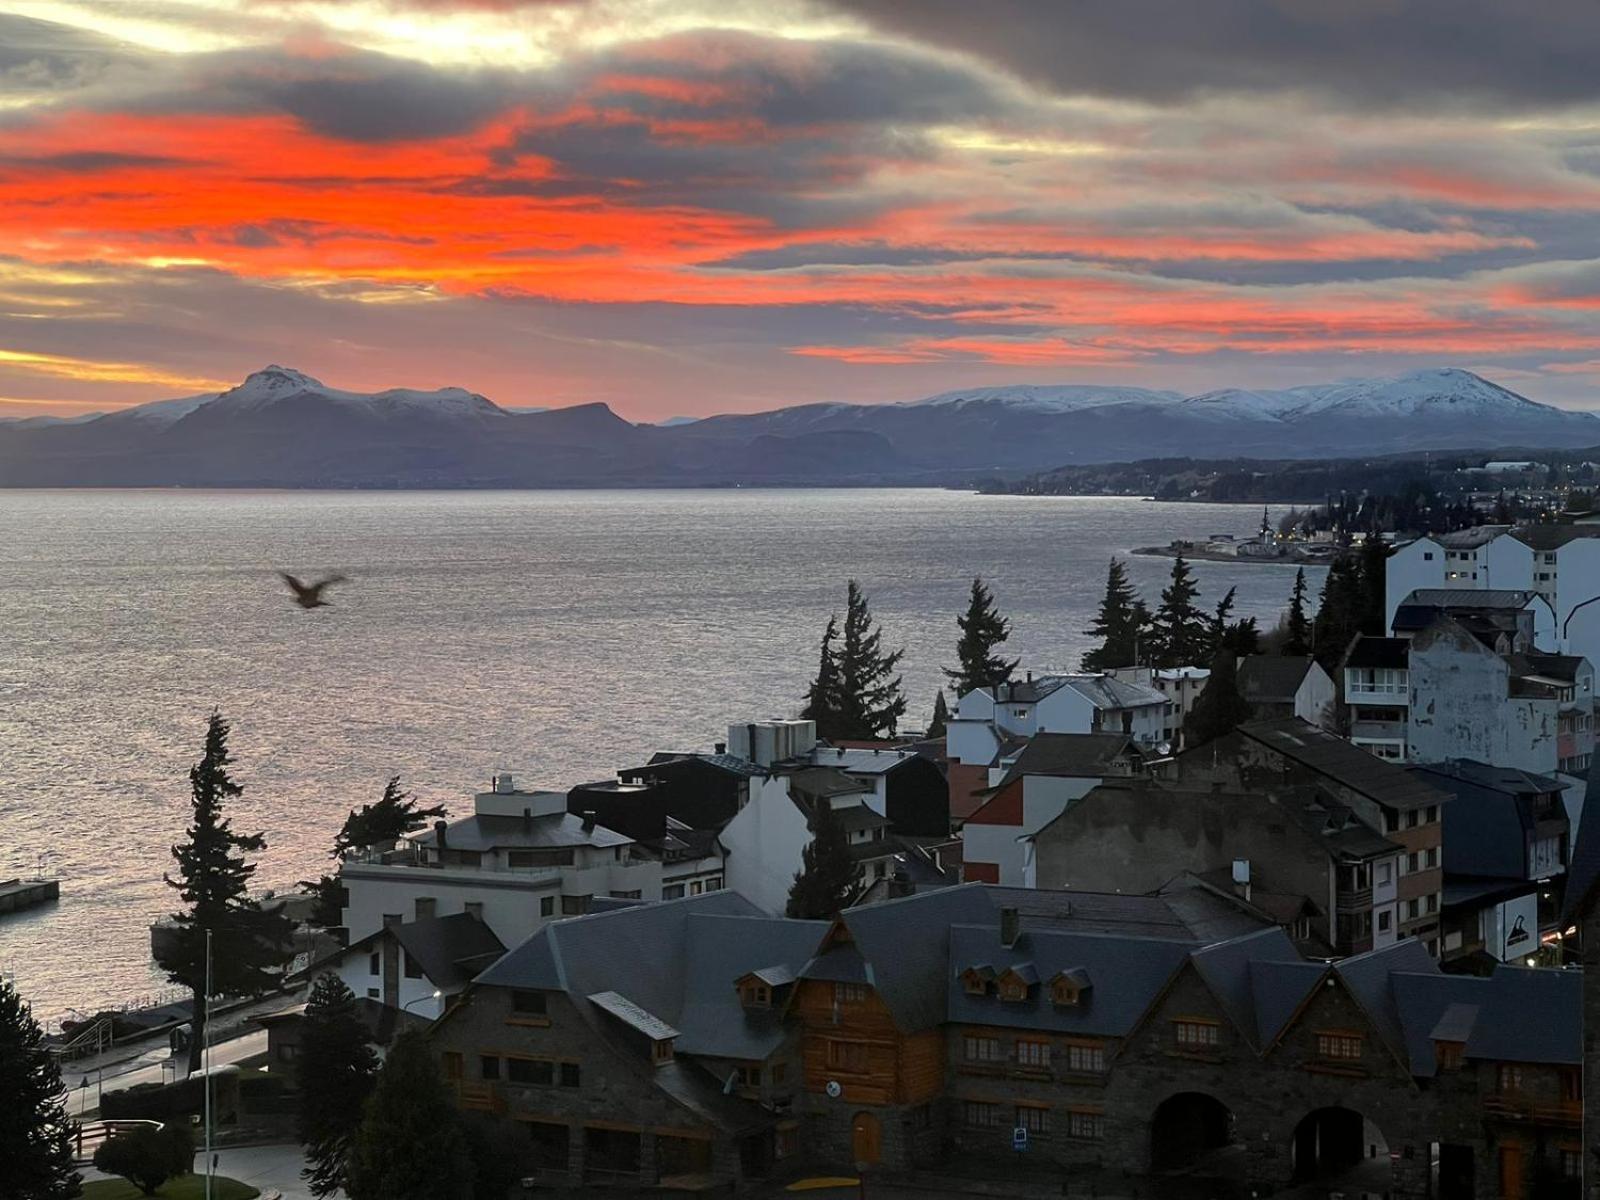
column 1364, row 52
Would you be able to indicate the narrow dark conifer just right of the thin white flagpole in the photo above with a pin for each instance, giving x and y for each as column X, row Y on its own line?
column 335, row 1074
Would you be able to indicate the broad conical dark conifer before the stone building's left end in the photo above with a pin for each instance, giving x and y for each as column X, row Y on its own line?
column 412, row 1143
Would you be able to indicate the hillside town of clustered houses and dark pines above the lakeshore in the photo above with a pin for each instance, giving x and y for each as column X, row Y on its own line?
column 1266, row 910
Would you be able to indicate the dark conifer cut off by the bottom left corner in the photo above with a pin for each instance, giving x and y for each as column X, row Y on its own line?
column 36, row 1159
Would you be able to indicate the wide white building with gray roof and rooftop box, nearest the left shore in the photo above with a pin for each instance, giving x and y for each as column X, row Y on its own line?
column 519, row 862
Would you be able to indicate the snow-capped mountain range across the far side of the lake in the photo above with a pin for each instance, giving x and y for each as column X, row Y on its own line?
column 286, row 428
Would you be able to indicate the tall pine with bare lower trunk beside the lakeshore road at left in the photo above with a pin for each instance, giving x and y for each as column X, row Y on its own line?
column 214, row 881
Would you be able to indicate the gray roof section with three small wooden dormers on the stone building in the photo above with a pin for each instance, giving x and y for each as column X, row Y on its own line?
column 1126, row 975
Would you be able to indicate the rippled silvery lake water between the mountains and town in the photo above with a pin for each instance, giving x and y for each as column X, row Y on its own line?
column 556, row 634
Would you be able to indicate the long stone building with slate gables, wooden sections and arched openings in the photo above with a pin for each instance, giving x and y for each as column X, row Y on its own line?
column 700, row 1044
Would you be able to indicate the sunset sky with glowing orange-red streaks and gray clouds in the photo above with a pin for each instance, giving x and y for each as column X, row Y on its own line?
column 681, row 209
